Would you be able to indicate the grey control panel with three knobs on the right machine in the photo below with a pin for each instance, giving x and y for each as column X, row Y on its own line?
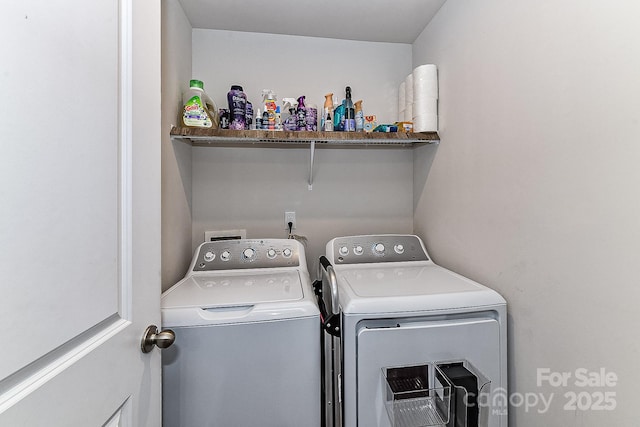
column 382, row 248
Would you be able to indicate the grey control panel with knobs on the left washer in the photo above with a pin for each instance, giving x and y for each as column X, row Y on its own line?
column 247, row 253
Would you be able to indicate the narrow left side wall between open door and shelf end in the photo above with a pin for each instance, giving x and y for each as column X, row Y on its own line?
column 176, row 156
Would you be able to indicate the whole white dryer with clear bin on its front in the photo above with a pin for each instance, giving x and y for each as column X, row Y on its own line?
column 388, row 306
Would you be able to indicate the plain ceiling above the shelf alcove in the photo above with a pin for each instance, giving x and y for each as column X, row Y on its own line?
column 399, row 21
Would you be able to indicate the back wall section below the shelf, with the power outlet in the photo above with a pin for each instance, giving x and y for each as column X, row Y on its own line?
column 354, row 192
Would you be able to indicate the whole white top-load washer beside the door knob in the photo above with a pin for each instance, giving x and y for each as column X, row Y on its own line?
column 247, row 347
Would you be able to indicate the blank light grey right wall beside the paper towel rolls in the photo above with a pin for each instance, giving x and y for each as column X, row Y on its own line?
column 534, row 188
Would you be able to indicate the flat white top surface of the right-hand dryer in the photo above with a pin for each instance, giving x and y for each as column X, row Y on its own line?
column 402, row 287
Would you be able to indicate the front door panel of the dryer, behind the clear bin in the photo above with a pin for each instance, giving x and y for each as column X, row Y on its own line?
column 418, row 341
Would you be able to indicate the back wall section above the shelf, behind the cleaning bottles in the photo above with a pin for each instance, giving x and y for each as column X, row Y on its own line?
column 293, row 66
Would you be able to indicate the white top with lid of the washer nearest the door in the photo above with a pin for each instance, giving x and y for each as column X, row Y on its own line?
column 234, row 289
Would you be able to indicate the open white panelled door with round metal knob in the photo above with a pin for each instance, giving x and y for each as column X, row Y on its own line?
column 79, row 212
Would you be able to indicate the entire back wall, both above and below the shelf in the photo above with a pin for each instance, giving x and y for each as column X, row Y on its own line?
column 355, row 190
